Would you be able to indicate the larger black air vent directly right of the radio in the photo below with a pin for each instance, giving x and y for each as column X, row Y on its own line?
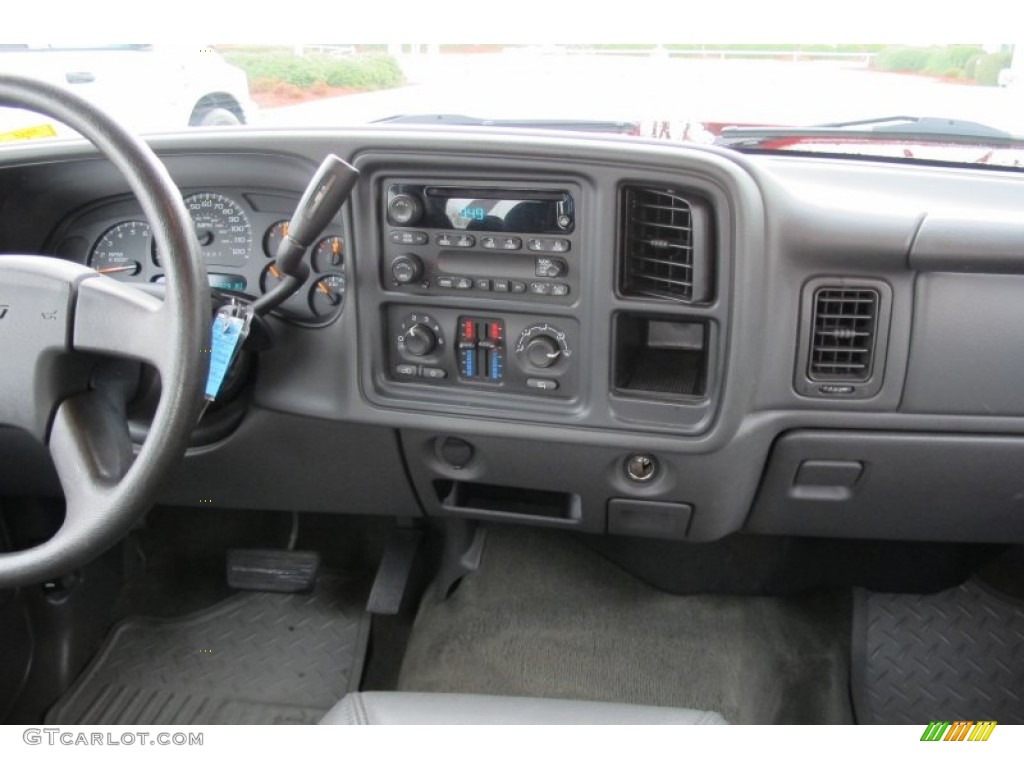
column 666, row 252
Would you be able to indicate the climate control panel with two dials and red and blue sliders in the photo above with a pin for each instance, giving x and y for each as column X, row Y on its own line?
column 507, row 353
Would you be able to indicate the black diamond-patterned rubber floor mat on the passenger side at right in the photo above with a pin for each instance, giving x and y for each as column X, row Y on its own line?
column 958, row 655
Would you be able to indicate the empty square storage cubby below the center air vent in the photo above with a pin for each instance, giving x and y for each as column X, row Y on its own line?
column 660, row 357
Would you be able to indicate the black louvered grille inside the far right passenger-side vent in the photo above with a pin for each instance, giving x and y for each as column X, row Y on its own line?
column 844, row 325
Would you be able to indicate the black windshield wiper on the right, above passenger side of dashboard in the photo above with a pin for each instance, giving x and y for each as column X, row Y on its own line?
column 898, row 129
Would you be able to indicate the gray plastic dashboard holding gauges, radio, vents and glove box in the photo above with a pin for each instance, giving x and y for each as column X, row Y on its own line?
column 602, row 334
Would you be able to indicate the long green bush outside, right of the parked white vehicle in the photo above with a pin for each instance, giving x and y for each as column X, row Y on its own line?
column 365, row 72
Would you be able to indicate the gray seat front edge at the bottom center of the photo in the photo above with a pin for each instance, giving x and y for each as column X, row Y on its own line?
column 459, row 709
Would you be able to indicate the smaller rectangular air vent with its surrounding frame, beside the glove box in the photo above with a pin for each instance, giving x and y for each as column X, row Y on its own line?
column 843, row 345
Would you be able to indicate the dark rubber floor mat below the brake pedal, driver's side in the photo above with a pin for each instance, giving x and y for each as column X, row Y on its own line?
column 258, row 659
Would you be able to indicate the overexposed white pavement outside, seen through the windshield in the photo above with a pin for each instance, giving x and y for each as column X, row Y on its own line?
column 523, row 86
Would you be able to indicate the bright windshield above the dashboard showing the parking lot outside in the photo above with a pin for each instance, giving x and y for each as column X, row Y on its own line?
column 952, row 103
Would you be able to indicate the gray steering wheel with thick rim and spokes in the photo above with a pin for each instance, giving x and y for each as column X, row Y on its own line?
column 61, row 316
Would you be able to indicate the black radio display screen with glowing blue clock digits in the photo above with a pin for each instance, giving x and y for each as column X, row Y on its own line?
column 494, row 210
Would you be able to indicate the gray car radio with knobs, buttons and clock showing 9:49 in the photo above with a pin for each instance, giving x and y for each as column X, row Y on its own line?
column 499, row 242
